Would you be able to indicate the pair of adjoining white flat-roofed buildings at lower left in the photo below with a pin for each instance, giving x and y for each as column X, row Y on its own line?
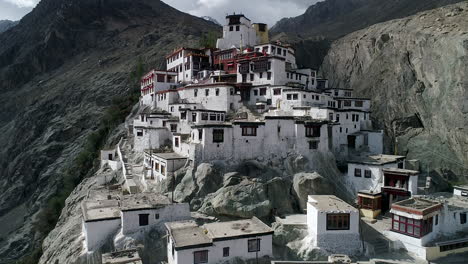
column 127, row 215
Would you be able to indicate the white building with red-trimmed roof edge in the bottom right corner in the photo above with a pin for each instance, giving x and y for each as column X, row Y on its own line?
column 430, row 226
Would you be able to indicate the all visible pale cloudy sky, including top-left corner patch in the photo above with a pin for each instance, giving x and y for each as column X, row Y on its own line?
column 262, row 11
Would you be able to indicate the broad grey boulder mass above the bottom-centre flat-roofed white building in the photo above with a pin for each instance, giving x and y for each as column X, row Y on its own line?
column 251, row 197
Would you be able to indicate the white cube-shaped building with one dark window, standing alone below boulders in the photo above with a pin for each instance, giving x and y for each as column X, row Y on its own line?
column 333, row 224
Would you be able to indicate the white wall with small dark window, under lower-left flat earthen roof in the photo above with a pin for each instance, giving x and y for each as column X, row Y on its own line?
column 168, row 213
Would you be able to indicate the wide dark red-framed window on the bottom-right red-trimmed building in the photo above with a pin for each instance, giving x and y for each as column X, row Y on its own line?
column 411, row 227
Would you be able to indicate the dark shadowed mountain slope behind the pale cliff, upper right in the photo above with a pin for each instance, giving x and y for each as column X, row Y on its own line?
column 331, row 19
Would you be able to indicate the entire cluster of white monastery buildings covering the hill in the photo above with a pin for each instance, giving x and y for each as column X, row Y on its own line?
column 247, row 99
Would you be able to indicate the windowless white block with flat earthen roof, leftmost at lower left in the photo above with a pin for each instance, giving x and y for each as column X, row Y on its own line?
column 101, row 220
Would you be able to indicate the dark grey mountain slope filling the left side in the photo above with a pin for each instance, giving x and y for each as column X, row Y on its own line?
column 60, row 67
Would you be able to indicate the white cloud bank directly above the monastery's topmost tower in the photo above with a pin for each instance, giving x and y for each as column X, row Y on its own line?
column 266, row 11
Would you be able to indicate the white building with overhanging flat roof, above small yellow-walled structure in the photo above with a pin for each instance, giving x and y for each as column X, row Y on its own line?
column 366, row 173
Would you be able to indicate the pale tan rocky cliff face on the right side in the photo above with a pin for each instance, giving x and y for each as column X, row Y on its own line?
column 414, row 70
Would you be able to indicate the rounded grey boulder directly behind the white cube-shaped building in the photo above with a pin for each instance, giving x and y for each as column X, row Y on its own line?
column 305, row 184
